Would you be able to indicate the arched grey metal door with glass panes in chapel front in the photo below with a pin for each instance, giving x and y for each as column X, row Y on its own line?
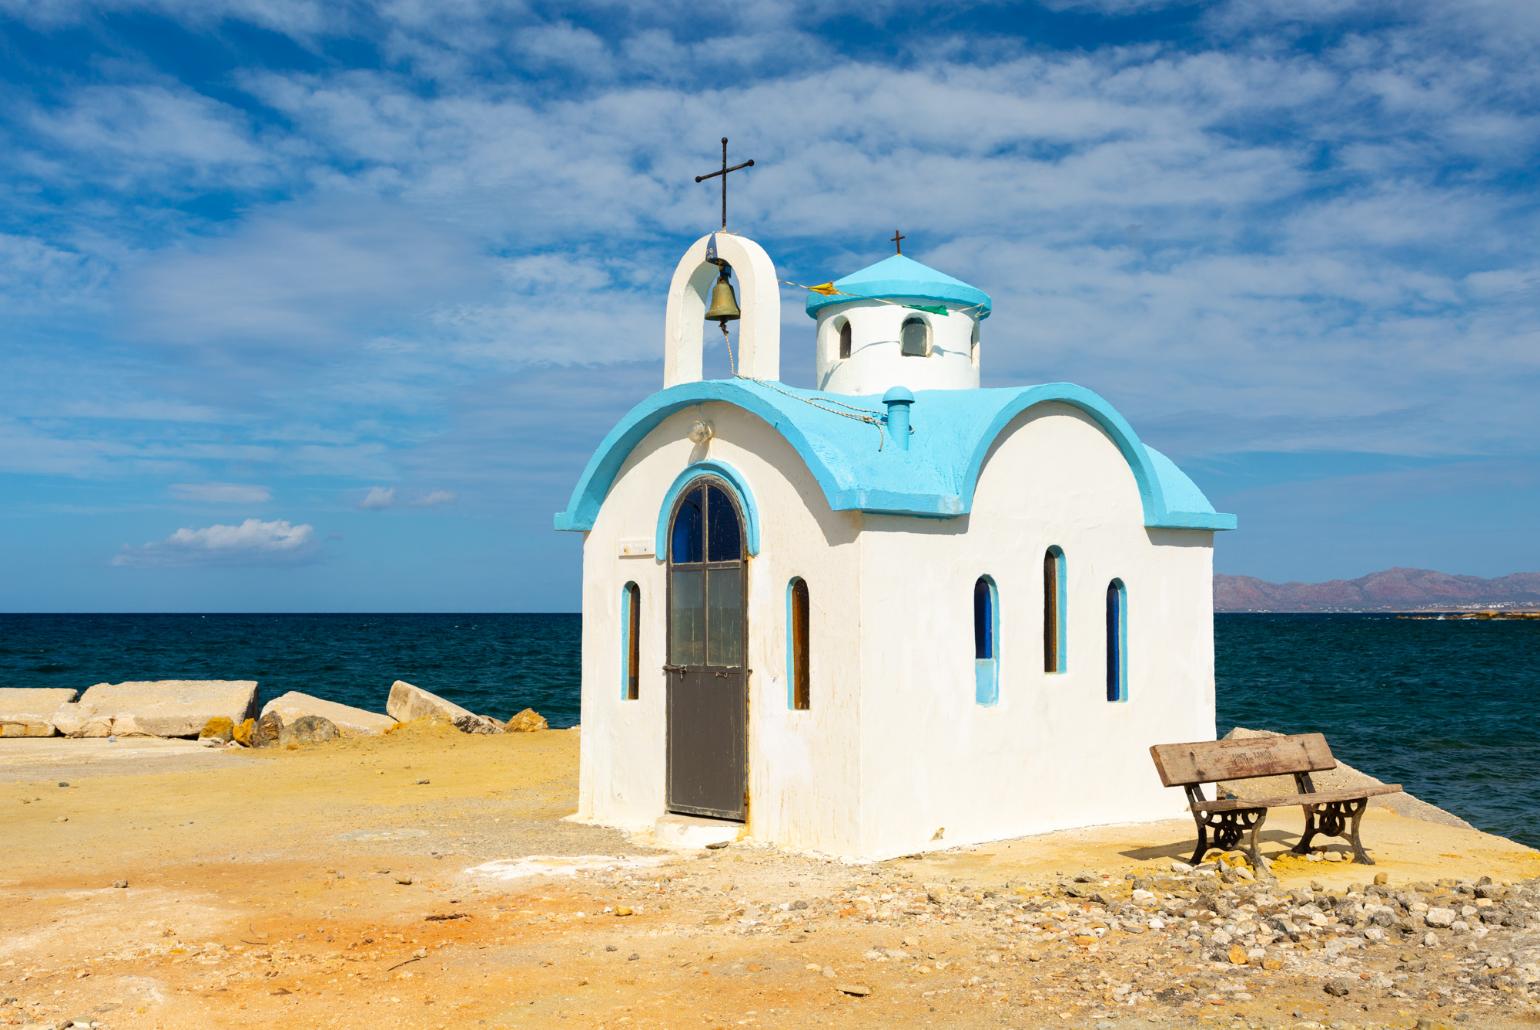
column 708, row 671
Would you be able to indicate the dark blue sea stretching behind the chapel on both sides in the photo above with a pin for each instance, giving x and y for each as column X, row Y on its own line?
column 1445, row 707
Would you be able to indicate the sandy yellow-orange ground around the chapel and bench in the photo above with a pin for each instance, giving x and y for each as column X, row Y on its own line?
column 389, row 883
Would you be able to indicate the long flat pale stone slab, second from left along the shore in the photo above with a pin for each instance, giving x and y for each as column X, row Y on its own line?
column 161, row 709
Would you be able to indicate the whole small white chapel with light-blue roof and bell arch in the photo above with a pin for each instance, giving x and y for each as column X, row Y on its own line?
column 892, row 614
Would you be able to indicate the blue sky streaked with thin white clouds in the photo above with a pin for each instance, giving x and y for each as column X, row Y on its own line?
column 318, row 306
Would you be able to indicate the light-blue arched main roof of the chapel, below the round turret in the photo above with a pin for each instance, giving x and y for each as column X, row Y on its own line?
column 857, row 477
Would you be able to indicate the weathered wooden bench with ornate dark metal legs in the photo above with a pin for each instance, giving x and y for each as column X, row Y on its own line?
column 1333, row 814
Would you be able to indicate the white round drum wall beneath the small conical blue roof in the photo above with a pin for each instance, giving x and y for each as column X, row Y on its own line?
column 875, row 356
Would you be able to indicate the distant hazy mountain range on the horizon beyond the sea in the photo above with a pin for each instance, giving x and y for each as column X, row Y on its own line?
column 1393, row 590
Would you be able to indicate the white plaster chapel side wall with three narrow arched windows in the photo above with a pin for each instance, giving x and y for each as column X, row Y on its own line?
column 1053, row 752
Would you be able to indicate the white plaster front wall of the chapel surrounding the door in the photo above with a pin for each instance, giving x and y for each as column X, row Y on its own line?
column 803, row 775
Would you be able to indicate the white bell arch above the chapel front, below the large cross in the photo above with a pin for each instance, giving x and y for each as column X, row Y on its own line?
column 758, row 298
